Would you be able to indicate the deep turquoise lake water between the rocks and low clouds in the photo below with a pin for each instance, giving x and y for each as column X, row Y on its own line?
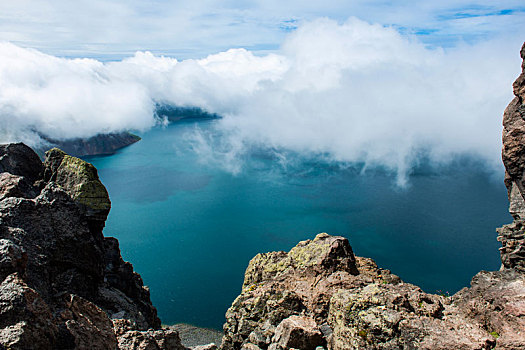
column 190, row 228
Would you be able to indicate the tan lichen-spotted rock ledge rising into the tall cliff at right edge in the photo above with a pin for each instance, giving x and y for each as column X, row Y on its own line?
column 319, row 295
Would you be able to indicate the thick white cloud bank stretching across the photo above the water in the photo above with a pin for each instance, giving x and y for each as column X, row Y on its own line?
column 350, row 92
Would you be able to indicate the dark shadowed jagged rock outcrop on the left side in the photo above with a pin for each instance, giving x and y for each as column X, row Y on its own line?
column 64, row 285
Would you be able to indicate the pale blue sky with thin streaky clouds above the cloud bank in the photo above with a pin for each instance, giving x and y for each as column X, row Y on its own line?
column 189, row 29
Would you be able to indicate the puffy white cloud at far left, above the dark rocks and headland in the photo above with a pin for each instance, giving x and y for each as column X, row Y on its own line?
column 66, row 98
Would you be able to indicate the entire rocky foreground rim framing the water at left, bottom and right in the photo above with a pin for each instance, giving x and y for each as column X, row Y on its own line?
column 65, row 286
